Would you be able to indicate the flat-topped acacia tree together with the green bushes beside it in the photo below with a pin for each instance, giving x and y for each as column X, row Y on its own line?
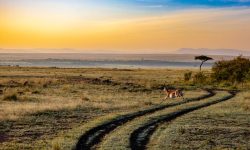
column 232, row 72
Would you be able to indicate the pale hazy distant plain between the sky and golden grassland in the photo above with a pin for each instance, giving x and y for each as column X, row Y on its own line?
column 79, row 60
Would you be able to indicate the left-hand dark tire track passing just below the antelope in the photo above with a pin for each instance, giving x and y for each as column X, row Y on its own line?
column 95, row 135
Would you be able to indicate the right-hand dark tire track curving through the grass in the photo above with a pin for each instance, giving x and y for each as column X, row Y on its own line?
column 141, row 136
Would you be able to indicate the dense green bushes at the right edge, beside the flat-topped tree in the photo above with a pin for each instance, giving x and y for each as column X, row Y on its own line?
column 225, row 74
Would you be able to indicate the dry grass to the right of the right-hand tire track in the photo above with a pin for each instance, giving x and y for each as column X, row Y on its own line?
column 222, row 126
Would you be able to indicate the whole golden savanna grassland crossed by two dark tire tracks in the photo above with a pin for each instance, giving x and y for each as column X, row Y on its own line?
column 51, row 108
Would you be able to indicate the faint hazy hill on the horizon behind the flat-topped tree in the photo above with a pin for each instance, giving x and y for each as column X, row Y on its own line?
column 205, row 51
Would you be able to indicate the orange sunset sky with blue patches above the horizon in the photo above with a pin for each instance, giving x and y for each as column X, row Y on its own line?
column 136, row 26
